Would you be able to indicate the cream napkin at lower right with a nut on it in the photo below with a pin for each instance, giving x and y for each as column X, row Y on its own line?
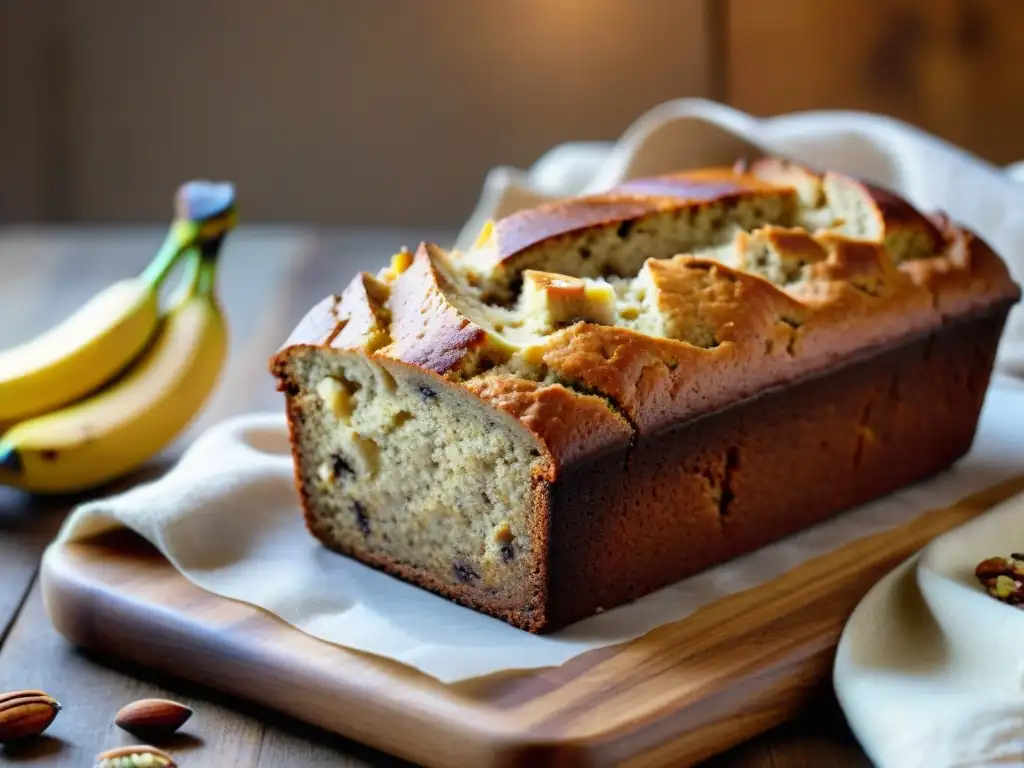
column 930, row 670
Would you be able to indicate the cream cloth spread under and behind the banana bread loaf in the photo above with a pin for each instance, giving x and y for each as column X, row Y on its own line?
column 227, row 516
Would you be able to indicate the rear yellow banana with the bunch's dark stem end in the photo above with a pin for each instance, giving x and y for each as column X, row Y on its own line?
column 99, row 342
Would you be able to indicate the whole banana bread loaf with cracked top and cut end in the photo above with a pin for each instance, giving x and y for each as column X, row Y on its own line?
column 609, row 394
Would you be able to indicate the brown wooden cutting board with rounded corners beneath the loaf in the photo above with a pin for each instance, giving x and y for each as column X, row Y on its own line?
column 679, row 695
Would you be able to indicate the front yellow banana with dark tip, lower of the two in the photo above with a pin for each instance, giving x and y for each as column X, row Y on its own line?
column 118, row 430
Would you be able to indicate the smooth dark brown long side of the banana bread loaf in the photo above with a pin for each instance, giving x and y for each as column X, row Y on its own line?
column 719, row 488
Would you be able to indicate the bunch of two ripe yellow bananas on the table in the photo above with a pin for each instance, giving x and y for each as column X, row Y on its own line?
column 109, row 388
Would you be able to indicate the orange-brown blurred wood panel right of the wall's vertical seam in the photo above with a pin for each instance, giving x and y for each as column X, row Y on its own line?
column 951, row 67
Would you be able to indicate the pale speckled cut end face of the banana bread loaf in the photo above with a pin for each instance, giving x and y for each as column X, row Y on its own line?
column 402, row 471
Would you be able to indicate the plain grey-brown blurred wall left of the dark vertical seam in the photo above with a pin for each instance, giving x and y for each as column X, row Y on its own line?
column 369, row 111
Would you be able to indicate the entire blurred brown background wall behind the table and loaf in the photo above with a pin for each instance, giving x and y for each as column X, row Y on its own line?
column 391, row 112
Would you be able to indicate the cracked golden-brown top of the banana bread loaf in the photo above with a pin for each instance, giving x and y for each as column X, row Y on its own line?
column 596, row 320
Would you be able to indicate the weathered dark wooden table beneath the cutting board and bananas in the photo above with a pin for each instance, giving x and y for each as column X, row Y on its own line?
column 269, row 279
